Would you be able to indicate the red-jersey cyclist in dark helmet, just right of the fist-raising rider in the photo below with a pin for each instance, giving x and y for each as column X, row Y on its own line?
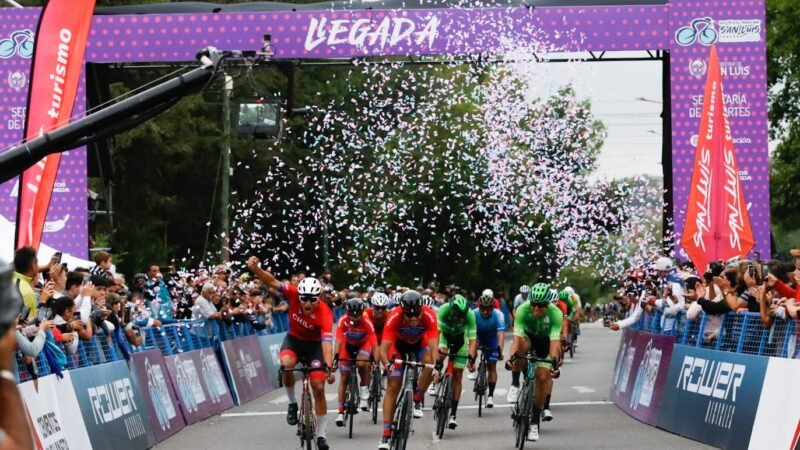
column 355, row 339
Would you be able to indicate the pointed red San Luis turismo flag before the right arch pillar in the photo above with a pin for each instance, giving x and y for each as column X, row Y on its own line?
column 717, row 224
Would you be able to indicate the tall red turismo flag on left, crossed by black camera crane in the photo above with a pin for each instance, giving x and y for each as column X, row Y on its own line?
column 55, row 72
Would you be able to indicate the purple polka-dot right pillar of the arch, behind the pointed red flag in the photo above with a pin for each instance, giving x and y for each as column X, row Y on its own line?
column 738, row 29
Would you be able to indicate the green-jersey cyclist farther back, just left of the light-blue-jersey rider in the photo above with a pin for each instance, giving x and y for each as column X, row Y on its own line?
column 457, row 335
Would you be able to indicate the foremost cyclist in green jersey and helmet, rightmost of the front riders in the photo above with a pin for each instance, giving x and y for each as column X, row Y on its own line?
column 537, row 328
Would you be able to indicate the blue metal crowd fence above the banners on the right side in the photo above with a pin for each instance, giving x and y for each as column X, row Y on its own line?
column 731, row 332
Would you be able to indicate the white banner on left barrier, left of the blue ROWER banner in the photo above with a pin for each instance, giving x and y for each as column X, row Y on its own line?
column 54, row 413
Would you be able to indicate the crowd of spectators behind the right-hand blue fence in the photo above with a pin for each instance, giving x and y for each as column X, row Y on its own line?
column 670, row 299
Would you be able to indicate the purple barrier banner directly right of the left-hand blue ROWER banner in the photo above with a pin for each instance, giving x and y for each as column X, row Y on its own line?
column 162, row 404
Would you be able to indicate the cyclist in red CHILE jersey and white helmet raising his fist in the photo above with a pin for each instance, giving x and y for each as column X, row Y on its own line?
column 309, row 338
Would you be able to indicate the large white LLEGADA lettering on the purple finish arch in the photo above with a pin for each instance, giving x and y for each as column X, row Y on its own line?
column 363, row 32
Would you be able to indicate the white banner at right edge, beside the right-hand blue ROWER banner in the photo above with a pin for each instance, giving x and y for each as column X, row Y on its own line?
column 777, row 423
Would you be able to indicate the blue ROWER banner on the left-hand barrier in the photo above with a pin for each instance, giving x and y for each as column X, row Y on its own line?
column 113, row 407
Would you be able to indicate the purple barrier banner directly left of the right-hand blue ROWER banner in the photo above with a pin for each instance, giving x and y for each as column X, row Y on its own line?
column 640, row 373
